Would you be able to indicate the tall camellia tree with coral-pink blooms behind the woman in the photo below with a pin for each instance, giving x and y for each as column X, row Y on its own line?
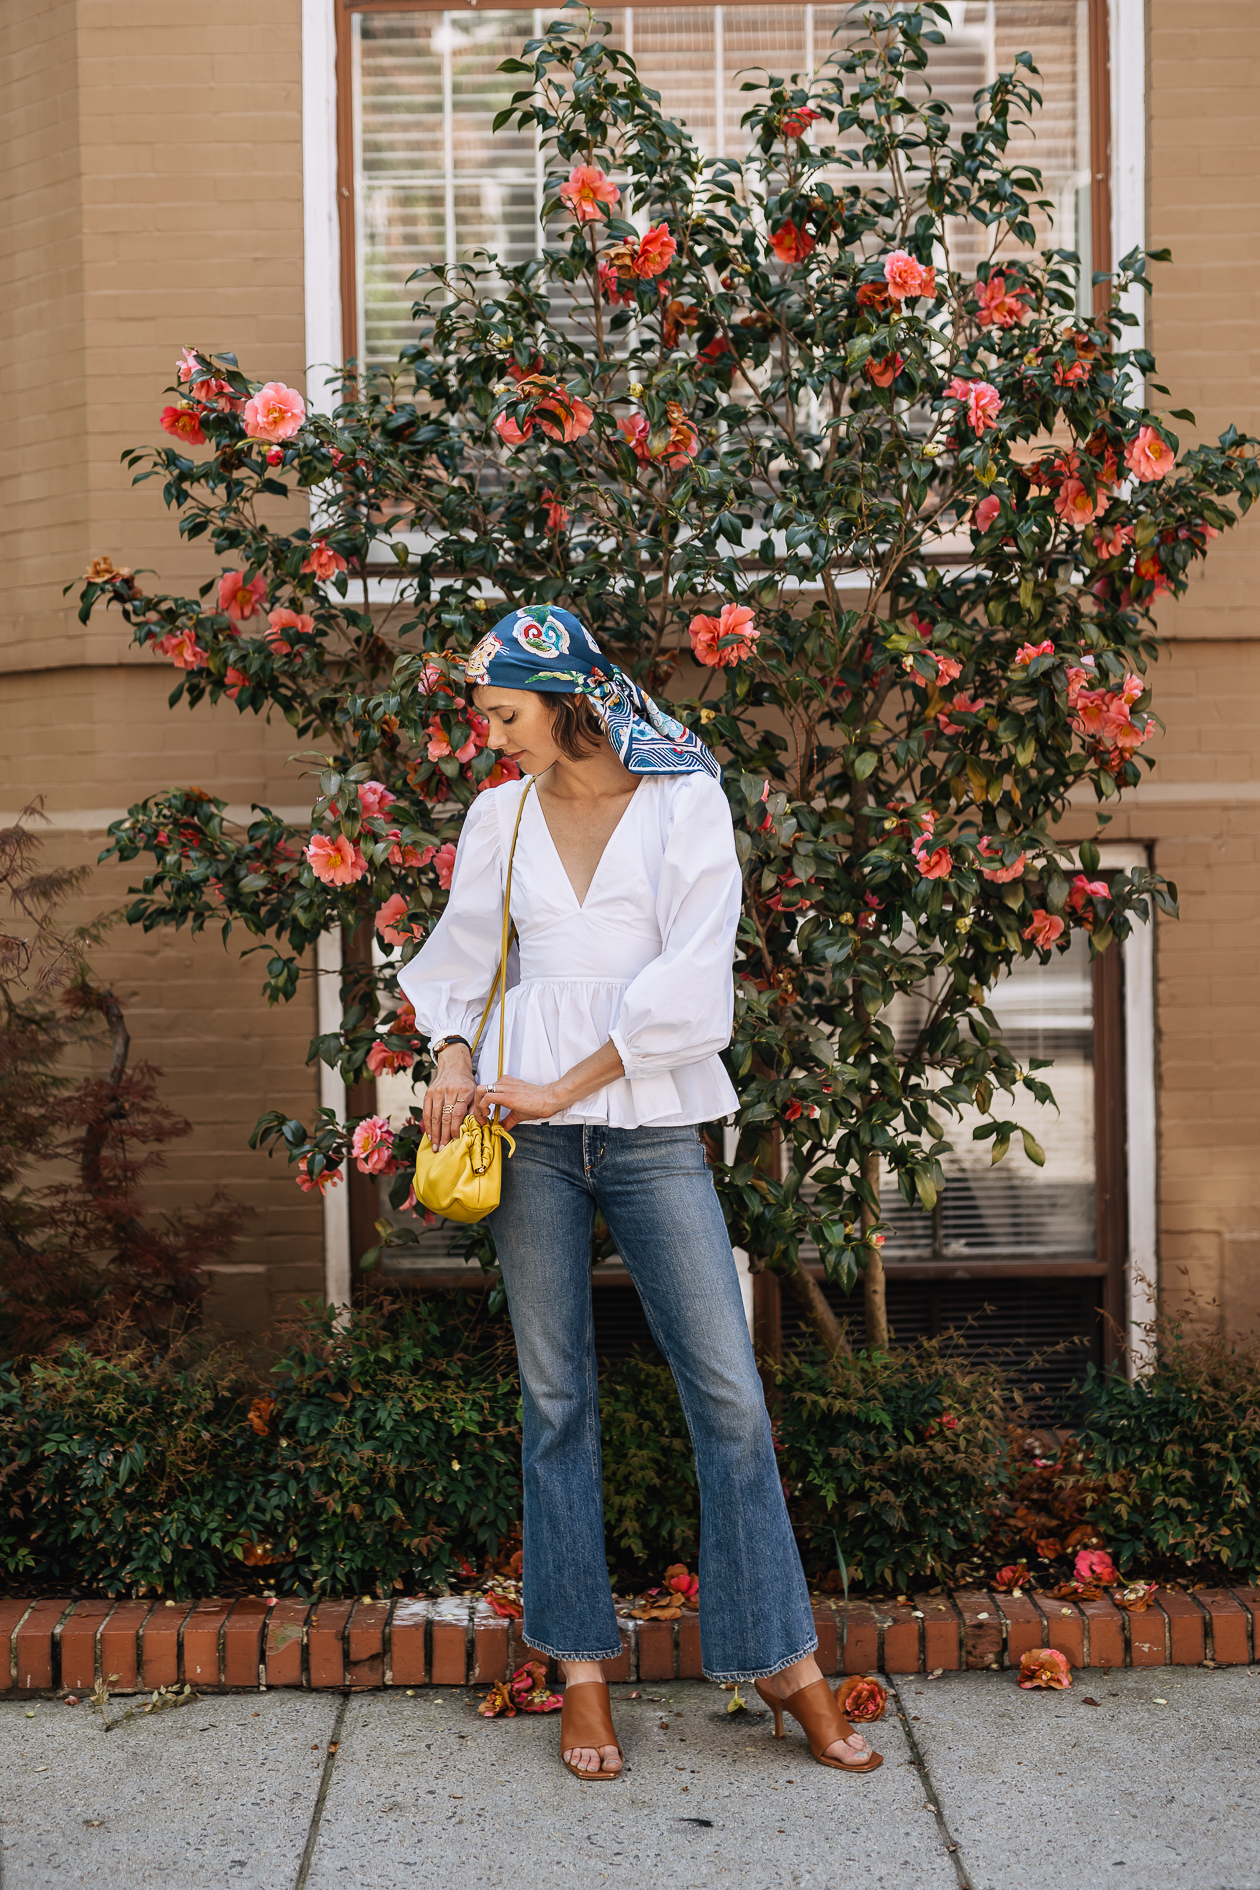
column 823, row 447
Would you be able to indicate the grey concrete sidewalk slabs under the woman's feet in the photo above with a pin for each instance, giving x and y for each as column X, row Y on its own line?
column 1153, row 1789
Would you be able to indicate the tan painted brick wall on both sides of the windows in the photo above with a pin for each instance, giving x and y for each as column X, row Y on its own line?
column 152, row 199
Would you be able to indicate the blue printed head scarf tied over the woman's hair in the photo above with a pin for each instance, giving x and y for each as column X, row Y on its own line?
column 554, row 653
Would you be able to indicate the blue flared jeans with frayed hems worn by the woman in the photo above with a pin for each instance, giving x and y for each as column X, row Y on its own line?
column 656, row 1194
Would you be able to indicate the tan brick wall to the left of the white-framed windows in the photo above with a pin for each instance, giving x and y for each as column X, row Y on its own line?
column 152, row 199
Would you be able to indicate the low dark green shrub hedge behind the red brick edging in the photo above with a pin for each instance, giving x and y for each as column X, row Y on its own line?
column 386, row 1458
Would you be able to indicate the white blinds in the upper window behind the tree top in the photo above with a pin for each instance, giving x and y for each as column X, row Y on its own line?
column 434, row 186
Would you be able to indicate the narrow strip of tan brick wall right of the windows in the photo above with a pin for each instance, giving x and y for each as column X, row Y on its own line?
column 1204, row 205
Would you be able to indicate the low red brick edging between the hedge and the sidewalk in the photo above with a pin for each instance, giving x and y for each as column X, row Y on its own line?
column 50, row 1647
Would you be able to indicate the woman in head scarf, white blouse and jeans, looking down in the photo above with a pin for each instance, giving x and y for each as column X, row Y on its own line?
column 626, row 897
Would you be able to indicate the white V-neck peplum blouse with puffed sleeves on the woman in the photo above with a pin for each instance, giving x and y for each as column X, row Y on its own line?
column 645, row 961
